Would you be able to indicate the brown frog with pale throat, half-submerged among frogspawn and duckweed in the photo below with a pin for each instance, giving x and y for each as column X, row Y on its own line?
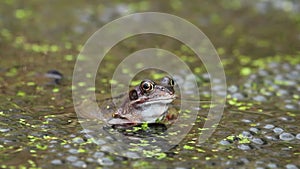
column 145, row 103
